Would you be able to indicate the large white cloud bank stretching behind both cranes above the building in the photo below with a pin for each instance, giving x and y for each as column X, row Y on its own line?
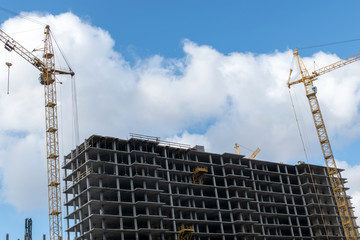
column 204, row 98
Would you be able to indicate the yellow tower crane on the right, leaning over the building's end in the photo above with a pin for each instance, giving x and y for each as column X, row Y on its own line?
column 348, row 222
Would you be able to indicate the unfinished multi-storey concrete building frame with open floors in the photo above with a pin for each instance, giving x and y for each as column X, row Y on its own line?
column 147, row 189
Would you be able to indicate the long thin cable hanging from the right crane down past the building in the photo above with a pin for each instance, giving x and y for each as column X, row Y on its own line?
column 307, row 160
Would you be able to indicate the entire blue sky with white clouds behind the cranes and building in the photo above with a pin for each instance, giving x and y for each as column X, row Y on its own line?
column 196, row 73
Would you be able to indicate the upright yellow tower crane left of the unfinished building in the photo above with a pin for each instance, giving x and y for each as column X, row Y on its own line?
column 47, row 78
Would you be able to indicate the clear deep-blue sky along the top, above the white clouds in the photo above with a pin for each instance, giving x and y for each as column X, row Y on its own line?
column 157, row 27
